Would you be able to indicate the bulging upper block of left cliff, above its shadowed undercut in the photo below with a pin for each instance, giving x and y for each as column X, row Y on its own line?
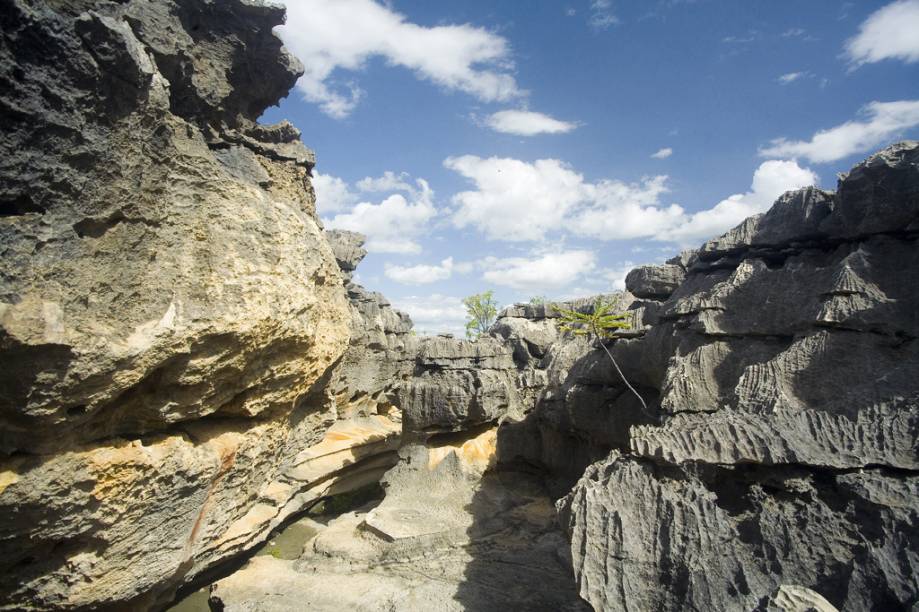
column 158, row 245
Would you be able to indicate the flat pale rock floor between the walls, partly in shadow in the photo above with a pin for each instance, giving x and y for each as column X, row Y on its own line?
column 450, row 535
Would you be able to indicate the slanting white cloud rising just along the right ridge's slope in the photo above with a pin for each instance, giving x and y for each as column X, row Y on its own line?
column 771, row 179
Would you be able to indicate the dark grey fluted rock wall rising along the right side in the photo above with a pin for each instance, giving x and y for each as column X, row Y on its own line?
column 781, row 458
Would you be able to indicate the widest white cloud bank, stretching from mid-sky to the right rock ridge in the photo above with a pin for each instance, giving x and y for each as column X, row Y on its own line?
column 520, row 201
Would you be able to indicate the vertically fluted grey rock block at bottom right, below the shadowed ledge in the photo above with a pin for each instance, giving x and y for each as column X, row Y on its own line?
column 746, row 531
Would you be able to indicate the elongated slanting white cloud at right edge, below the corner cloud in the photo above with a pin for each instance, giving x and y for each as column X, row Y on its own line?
column 884, row 121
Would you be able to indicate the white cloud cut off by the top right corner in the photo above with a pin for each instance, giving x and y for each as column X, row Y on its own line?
column 891, row 32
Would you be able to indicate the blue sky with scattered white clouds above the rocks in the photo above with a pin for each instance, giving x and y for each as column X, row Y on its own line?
column 545, row 148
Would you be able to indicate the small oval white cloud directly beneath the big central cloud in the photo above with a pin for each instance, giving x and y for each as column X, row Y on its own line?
column 547, row 272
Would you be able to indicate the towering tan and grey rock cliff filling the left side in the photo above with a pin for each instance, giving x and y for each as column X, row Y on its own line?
column 169, row 307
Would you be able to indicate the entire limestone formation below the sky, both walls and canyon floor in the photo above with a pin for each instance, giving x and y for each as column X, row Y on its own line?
column 186, row 364
